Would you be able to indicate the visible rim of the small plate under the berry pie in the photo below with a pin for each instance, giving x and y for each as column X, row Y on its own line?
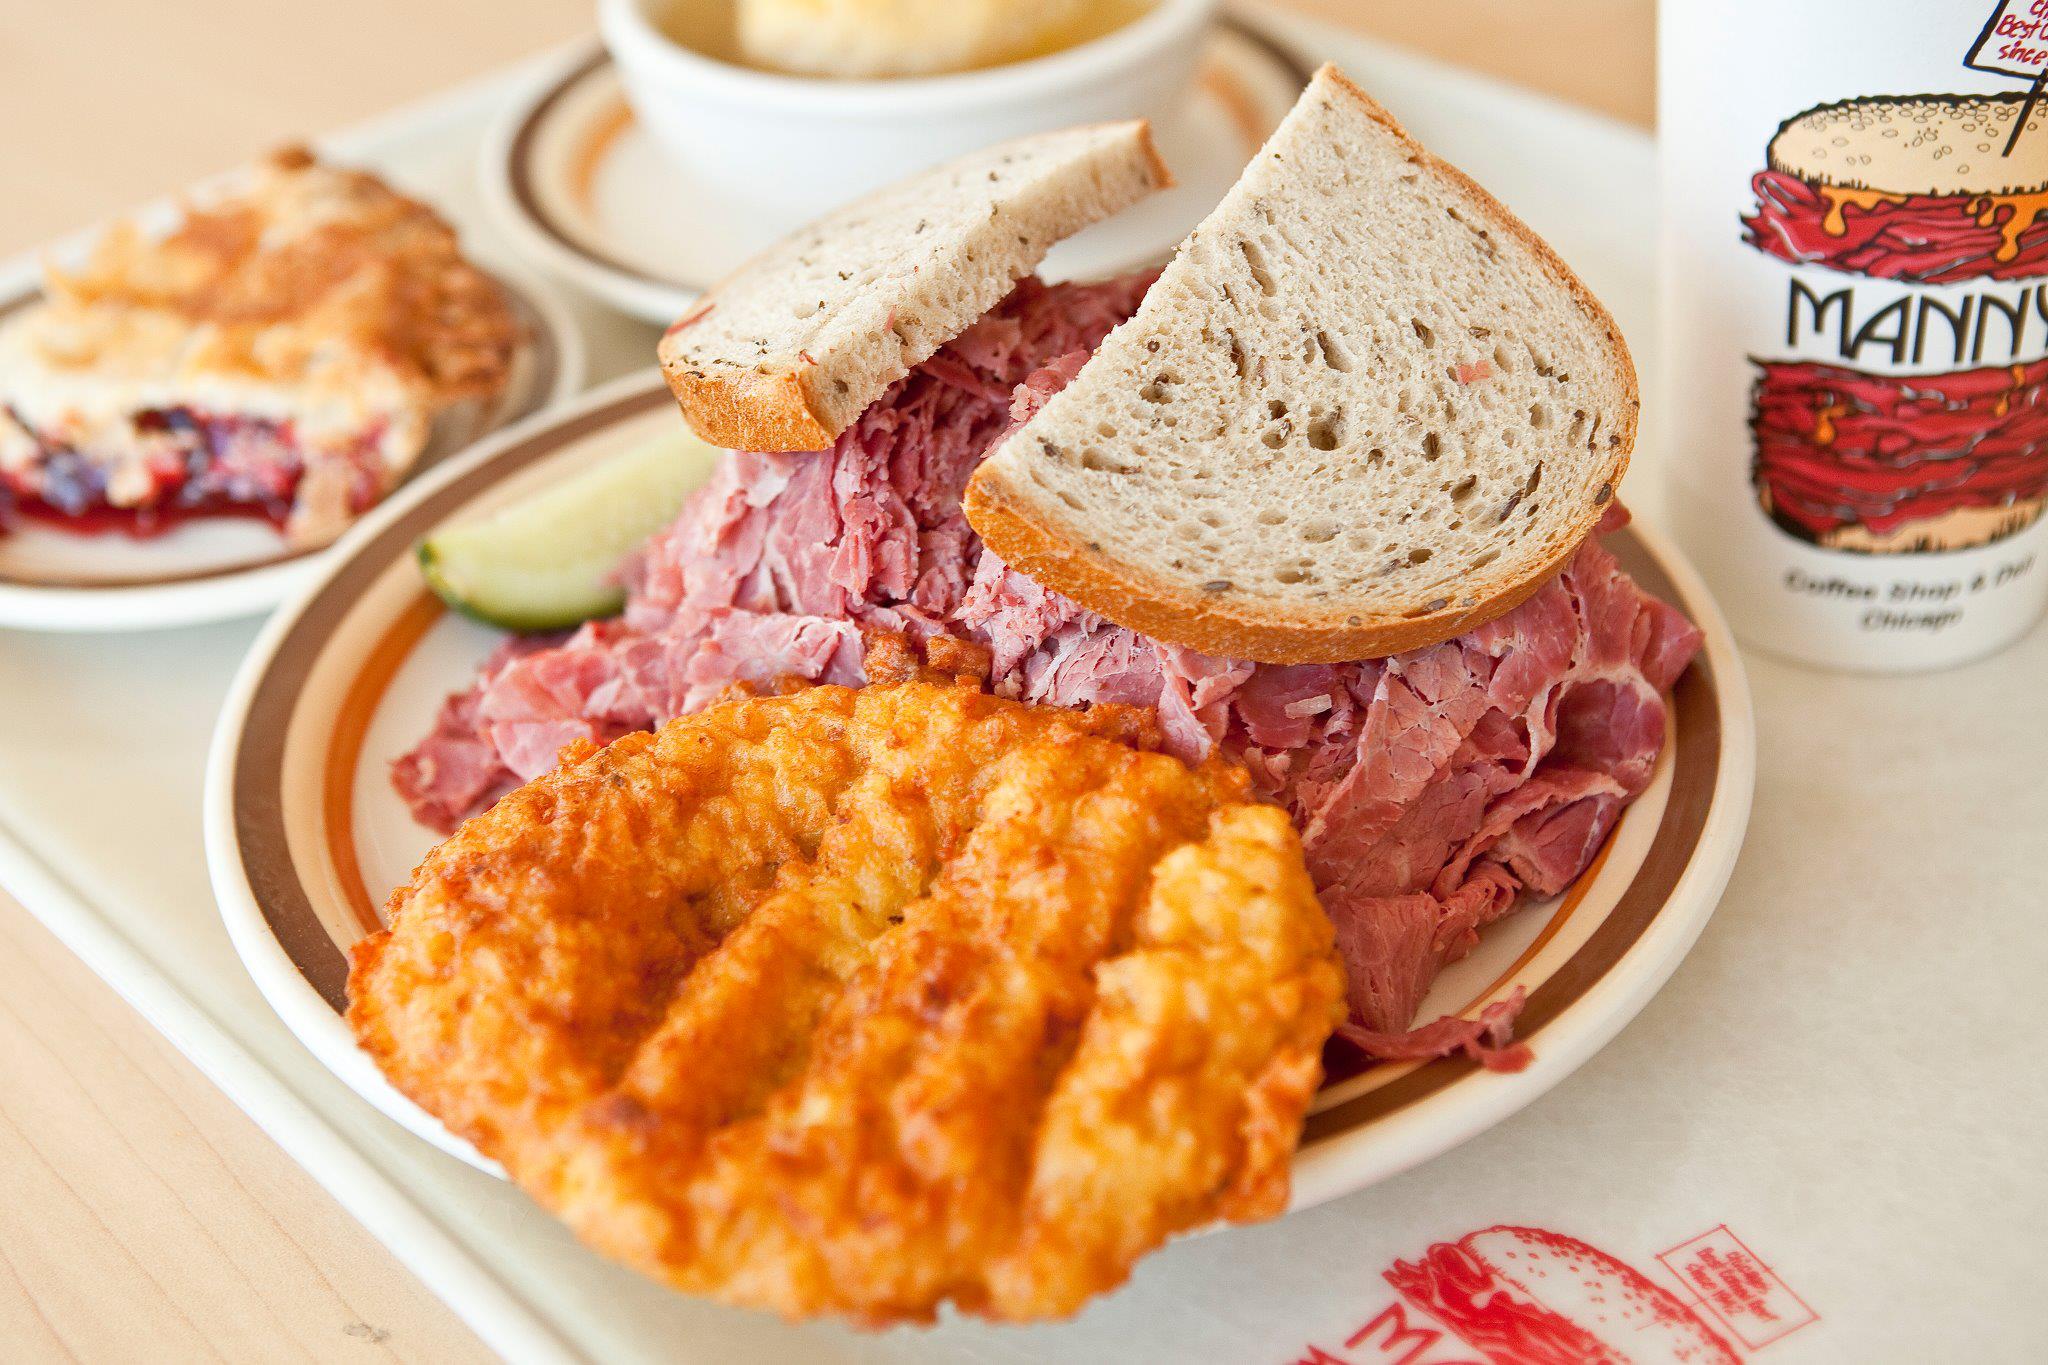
column 224, row 568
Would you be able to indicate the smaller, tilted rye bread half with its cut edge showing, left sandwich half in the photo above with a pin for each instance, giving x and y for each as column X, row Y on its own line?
column 790, row 349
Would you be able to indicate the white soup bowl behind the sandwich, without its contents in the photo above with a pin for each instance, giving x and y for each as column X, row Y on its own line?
column 781, row 150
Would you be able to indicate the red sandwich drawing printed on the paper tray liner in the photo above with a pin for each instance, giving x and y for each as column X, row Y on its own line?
column 1525, row 1296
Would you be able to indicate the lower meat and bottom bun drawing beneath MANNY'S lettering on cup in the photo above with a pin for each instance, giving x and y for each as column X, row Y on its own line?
column 1897, row 466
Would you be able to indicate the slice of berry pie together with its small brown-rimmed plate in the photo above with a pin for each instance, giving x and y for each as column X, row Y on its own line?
column 189, row 410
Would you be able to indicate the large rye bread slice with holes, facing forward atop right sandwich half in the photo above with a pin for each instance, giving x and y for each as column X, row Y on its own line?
column 1363, row 410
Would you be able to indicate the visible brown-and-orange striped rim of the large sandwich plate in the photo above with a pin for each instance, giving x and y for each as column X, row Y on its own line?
column 306, row 836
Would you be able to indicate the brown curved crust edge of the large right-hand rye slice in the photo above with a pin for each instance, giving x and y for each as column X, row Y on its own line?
column 1013, row 525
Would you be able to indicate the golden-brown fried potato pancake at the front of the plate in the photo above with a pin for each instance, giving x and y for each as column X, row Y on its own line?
column 861, row 1002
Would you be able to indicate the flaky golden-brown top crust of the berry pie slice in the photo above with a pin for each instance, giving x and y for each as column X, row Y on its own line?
column 312, row 263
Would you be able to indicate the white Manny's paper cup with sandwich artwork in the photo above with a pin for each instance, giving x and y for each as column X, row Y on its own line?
column 1857, row 320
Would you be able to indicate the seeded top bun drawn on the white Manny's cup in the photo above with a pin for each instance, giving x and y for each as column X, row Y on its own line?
column 1924, row 144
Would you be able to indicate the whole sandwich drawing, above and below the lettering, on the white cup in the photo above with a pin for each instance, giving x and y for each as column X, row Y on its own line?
column 1922, row 191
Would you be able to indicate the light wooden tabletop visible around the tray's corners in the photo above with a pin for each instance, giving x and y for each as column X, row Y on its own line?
column 142, row 1217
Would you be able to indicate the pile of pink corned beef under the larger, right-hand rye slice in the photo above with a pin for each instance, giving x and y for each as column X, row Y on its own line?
column 1433, row 789
